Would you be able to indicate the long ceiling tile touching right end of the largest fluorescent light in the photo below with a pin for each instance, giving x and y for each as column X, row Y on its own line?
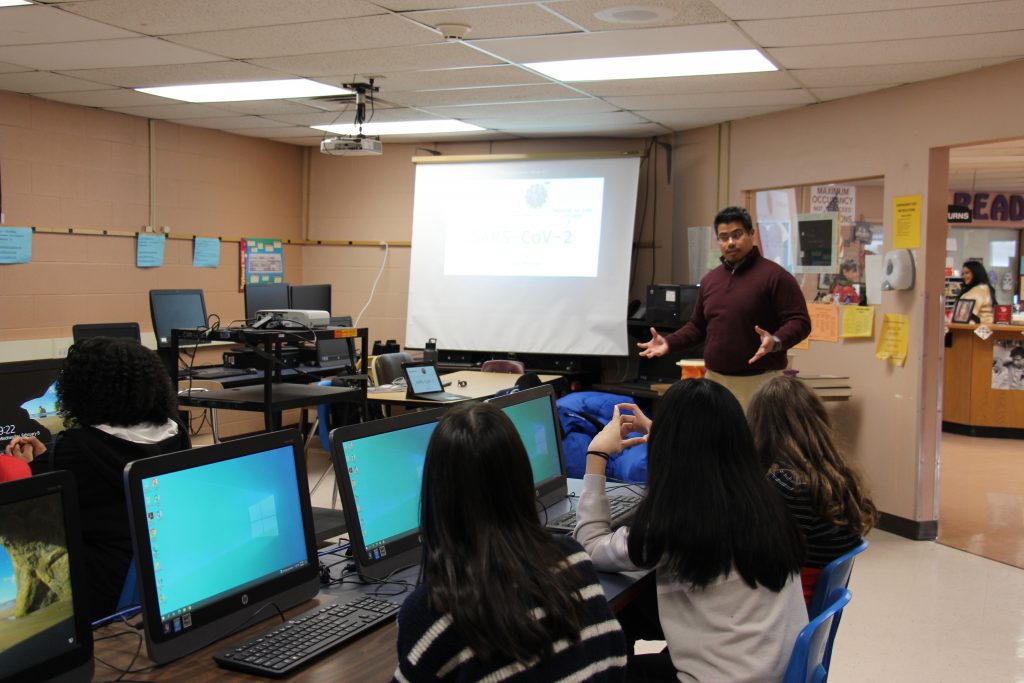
column 1009, row 46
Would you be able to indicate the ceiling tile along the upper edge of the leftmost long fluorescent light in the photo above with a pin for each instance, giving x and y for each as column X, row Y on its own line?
column 208, row 72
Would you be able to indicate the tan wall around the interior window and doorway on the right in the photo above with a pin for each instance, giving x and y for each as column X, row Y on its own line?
column 892, row 424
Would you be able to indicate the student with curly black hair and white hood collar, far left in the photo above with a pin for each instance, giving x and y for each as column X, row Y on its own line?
column 118, row 406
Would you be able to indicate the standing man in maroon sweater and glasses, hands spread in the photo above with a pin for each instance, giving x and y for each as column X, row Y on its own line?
column 749, row 312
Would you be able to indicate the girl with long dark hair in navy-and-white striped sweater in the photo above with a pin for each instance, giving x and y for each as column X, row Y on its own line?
column 499, row 596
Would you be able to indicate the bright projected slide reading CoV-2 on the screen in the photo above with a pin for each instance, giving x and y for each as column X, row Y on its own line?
column 525, row 228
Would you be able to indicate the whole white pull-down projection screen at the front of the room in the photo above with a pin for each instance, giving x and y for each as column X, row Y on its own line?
column 526, row 257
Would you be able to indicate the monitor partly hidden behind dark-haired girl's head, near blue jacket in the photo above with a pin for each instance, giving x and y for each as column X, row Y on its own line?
column 536, row 418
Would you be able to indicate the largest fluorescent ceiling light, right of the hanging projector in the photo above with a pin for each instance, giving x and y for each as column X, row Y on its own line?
column 656, row 66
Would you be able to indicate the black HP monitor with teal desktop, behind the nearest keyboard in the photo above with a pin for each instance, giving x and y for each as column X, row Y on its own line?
column 221, row 534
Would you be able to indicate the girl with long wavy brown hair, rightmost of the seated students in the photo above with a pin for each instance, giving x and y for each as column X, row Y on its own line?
column 797, row 447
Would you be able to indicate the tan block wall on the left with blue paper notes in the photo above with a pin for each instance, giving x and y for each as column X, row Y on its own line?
column 66, row 166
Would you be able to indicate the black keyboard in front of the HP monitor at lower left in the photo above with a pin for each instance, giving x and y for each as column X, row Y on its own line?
column 307, row 637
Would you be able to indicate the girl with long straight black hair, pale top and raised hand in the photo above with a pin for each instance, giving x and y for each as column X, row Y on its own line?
column 727, row 551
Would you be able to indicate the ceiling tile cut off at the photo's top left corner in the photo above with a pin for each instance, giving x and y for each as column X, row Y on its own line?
column 36, row 24
